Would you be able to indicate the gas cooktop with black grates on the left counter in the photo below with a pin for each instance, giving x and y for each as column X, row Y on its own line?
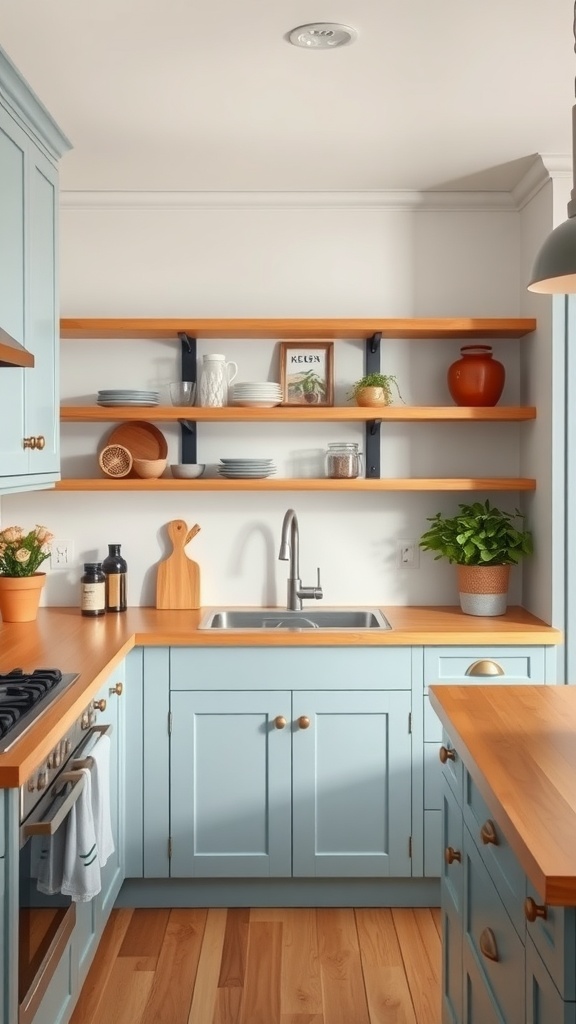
column 24, row 697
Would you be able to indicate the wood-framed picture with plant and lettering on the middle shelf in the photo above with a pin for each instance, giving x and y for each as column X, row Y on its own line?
column 306, row 373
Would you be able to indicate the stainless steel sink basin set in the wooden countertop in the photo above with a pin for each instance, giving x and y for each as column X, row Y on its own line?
column 309, row 619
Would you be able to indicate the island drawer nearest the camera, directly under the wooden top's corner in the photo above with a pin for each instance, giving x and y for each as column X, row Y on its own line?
column 555, row 938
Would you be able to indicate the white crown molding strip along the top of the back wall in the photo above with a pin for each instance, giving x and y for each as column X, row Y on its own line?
column 374, row 201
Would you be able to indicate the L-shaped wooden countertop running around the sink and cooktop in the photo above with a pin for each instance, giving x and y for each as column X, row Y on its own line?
column 63, row 638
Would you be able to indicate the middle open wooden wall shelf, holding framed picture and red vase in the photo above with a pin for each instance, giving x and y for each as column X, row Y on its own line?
column 283, row 414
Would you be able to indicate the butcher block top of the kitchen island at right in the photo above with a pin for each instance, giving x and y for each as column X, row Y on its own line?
column 519, row 744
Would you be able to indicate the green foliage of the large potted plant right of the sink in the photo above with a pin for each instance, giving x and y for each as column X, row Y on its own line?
column 480, row 535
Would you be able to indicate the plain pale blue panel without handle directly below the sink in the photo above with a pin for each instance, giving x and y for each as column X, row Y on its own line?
column 281, row 668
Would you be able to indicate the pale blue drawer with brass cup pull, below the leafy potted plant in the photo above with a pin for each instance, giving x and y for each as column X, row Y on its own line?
column 465, row 665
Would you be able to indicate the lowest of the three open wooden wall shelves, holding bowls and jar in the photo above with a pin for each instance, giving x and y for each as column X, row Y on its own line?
column 211, row 484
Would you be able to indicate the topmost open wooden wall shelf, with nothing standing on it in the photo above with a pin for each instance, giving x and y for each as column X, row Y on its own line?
column 296, row 329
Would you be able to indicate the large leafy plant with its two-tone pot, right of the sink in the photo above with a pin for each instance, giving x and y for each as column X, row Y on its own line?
column 483, row 541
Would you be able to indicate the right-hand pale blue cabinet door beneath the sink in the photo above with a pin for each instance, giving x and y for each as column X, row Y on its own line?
column 352, row 784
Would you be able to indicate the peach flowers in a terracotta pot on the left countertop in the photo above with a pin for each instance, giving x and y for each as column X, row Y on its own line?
column 21, row 583
